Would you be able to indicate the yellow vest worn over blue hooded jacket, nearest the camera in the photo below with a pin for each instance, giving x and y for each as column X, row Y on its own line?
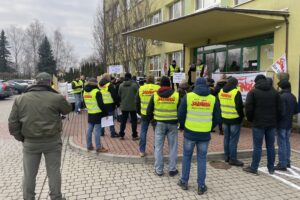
column 199, row 115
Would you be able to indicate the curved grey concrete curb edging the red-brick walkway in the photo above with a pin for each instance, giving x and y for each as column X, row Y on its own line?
column 242, row 154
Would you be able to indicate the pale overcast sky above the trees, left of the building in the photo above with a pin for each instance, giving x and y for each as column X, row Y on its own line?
column 74, row 18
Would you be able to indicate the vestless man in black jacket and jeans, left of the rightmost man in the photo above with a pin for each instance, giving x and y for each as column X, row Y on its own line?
column 262, row 109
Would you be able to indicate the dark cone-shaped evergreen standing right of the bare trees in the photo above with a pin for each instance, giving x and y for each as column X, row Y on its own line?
column 46, row 60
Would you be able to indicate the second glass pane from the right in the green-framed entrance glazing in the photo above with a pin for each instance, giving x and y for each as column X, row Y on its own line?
column 250, row 59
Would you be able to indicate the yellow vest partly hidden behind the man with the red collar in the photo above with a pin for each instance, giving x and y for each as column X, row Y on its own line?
column 145, row 93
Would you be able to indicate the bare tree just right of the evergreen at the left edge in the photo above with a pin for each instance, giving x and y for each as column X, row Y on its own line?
column 16, row 40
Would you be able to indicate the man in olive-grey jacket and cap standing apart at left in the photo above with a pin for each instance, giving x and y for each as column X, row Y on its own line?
column 35, row 120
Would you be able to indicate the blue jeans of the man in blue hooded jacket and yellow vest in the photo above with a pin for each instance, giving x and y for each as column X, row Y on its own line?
column 188, row 149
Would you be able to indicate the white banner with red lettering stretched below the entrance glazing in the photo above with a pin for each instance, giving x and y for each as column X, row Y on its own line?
column 246, row 81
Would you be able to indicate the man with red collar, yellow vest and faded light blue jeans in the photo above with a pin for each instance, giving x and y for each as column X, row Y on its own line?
column 163, row 107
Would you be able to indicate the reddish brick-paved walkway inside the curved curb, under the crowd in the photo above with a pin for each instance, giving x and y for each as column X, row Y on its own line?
column 76, row 125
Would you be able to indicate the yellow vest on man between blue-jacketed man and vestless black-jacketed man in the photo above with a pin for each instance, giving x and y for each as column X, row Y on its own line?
column 228, row 107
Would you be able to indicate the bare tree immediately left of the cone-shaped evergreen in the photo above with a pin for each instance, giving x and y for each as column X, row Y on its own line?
column 34, row 36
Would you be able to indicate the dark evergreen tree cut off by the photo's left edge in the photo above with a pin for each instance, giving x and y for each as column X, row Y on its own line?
column 4, row 53
